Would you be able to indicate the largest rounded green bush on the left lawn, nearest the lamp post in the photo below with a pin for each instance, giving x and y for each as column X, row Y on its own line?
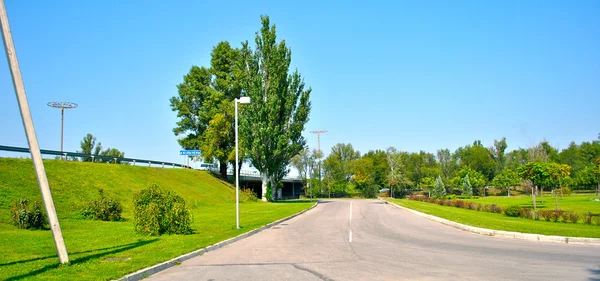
column 160, row 211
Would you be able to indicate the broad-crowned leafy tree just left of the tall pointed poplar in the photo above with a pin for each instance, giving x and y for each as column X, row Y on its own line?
column 205, row 109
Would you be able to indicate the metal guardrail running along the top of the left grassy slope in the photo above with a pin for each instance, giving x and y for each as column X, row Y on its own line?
column 94, row 157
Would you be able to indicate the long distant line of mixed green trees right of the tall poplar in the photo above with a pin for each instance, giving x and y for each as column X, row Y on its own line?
column 467, row 170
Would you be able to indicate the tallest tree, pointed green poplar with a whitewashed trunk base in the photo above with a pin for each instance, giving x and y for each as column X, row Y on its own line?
column 280, row 105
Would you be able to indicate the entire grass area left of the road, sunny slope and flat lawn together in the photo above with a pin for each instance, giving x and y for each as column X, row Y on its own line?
column 109, row 250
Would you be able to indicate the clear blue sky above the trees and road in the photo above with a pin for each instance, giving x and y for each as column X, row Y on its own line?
column 417, row 75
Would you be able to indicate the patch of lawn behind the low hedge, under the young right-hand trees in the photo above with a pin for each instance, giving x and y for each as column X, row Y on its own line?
column 576, row 203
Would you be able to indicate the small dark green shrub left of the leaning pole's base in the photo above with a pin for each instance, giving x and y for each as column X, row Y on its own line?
column 26, row 216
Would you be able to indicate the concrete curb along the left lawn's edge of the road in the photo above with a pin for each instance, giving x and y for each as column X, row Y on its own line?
column 145, row 272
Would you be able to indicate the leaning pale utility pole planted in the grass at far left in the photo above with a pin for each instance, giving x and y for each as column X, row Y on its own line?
column 34, row 148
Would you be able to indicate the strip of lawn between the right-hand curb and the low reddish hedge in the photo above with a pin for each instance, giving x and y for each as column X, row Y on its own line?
column 500, row 221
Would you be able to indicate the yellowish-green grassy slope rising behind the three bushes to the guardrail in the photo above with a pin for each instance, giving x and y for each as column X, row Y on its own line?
column 75, row 183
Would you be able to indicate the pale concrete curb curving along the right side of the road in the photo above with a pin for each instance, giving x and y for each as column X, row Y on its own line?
column 502, row 233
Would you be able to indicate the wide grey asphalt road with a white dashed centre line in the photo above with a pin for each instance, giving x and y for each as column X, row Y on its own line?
column 369, row 240
